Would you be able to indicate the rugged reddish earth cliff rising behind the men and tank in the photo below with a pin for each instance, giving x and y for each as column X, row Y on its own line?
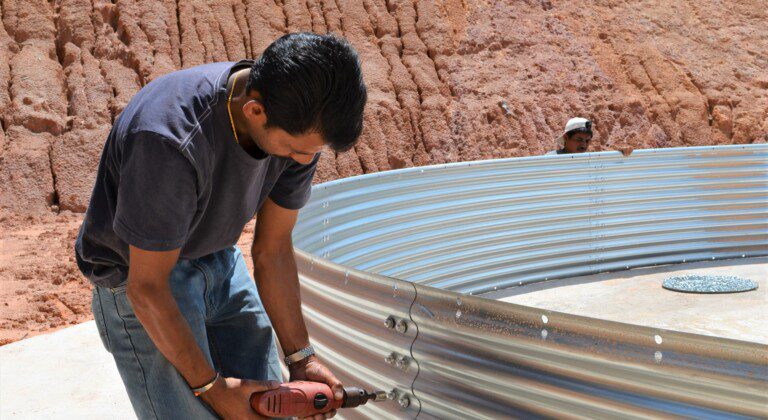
column 449, row 80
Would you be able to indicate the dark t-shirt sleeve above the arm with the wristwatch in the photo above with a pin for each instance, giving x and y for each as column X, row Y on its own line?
column 294, row 186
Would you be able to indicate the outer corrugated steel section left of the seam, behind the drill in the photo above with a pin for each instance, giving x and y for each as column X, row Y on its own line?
column 345, row 312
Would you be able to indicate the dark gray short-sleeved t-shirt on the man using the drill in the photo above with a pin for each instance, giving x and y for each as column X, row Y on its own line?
column 172, row 176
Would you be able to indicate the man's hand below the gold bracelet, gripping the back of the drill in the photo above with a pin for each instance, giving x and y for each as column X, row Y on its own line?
column 230, row 398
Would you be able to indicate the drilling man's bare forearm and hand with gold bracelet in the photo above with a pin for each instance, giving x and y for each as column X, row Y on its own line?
column 149, row 292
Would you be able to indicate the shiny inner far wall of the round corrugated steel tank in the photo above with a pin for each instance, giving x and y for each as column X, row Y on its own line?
column 470, row 227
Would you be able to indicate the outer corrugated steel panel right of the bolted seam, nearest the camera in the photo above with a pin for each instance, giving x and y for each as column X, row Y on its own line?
column 511, row 360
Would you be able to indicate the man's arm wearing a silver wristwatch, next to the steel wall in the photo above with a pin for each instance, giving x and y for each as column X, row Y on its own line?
column 278, row 283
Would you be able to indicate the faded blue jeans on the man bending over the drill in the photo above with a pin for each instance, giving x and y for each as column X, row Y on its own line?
column 220, row 302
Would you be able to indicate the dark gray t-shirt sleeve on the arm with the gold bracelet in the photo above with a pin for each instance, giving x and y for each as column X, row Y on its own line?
column 157, row 194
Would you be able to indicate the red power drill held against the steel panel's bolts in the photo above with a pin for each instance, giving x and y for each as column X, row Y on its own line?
column 302, row 399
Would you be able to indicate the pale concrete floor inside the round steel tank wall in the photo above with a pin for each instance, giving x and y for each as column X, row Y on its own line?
column 636, row 297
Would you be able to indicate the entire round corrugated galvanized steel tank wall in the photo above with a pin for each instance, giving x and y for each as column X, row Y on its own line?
column 478, row 226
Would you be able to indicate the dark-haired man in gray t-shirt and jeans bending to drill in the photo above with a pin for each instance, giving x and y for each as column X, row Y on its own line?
column 194, row 156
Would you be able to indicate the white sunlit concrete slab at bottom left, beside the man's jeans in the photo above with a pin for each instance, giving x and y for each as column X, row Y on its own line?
column 63, row 375
